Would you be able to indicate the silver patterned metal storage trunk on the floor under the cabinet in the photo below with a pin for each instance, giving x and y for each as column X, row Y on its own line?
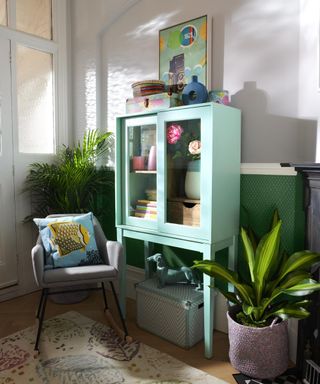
column 174, row 312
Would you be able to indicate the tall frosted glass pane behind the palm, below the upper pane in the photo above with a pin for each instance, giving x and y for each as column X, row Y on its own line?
column 35, row 101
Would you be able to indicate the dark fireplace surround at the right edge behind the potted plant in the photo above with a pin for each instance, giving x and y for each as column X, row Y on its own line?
column 308, row 349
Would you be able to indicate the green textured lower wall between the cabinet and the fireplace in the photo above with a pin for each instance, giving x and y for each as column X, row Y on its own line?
column 261, row 194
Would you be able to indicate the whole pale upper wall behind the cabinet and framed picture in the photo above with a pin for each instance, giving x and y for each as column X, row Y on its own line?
column 262, row 52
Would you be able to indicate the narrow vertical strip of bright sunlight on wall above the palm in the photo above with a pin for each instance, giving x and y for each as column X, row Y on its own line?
column 91, row 97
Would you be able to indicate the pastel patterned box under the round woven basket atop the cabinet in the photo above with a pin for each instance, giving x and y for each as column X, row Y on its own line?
column 152, row 102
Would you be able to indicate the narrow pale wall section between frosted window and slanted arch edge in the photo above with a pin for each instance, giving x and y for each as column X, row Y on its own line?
column 88, row 20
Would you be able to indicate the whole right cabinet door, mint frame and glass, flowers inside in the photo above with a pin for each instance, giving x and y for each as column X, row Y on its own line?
column 186, row 141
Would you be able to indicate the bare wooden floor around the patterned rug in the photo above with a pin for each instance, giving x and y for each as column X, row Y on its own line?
column 19, row 313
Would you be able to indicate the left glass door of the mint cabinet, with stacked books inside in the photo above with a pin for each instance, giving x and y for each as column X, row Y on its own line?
column 141, row 171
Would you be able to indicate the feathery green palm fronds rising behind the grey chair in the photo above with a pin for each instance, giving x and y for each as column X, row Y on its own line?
column 71, row 183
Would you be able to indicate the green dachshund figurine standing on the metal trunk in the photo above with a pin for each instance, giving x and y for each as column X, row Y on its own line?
column 168, row 276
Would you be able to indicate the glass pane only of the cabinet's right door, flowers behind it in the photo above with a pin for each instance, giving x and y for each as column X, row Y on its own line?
column 183, row 151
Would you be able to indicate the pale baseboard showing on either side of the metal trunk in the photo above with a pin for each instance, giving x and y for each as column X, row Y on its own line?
column 135, row 275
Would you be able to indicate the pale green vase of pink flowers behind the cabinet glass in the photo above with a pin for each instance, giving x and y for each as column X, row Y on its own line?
column 185, row 144
